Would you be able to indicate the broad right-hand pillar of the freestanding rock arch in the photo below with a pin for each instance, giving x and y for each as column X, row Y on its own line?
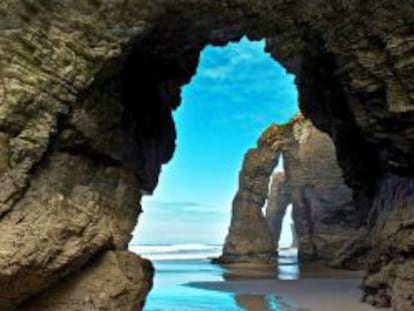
column 324, row 212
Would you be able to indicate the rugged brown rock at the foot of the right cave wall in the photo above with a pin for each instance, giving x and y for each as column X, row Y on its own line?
column 391, row 276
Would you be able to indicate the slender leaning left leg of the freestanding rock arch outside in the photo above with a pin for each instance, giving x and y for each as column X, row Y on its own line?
column 249, row 239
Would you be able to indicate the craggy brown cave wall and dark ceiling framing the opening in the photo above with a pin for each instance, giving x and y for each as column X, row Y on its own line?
column 86, row 94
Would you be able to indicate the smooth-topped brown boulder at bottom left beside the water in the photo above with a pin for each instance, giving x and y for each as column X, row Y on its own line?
column 112, row 281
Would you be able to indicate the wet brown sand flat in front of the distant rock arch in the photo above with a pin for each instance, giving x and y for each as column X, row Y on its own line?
column 311, row 294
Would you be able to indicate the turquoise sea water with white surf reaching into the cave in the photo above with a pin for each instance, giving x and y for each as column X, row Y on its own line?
column 178, row 266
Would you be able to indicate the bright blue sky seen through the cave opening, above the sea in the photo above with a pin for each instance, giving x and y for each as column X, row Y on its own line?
column 238, row 91
